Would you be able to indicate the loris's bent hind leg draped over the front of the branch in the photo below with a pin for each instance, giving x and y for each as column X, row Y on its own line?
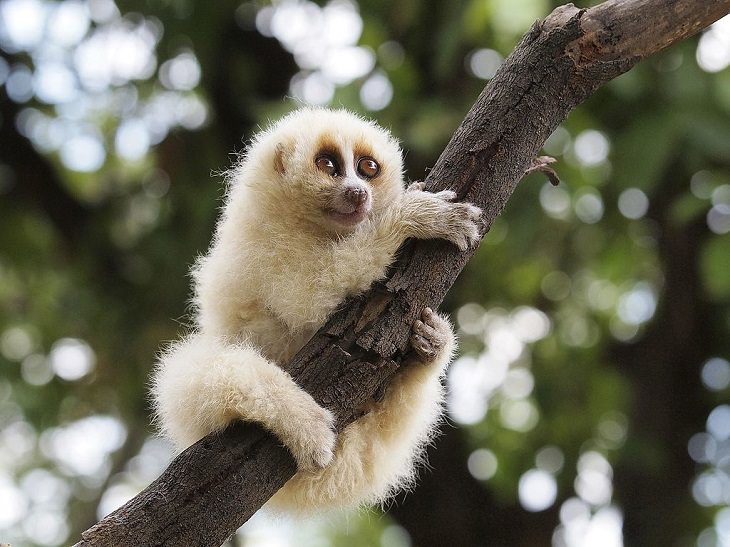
column 203, row 383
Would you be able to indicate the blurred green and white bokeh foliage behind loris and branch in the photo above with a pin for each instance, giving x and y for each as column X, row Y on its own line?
column 589, row 406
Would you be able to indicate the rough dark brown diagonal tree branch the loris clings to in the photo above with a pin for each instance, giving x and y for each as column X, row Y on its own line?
column 218, row 483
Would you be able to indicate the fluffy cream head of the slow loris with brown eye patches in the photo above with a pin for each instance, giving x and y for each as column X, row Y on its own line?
column 327, row 169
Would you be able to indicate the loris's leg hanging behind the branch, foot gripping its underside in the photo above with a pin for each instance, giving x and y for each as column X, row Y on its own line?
column 377, row 455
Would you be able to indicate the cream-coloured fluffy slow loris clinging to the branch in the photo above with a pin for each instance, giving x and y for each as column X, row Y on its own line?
column 281, row 261
